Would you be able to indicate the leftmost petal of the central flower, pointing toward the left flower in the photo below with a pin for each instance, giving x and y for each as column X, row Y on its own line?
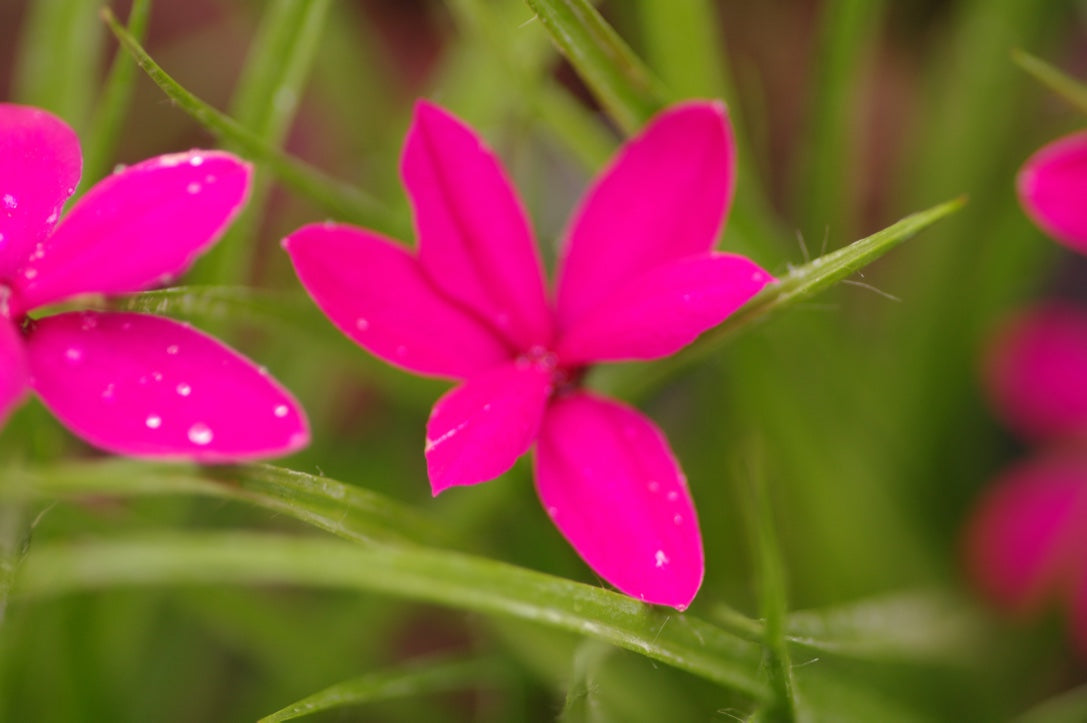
column 377, row 293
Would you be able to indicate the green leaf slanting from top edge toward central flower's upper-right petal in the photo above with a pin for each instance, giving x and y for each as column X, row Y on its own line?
column 619, row 80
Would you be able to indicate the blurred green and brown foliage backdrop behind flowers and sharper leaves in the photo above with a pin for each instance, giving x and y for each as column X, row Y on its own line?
column 858, row 414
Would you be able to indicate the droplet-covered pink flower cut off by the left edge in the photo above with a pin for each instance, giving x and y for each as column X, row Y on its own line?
column 132, row 384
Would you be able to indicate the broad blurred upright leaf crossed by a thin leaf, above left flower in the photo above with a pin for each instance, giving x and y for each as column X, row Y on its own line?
column 266, row 104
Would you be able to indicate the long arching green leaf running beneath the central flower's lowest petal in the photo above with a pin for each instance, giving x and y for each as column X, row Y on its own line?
column 447, row 579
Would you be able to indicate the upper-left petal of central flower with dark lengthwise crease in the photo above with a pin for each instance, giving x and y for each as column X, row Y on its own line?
column 474, row 240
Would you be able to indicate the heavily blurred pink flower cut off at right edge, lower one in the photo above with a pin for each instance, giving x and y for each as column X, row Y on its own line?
column 1027, row 544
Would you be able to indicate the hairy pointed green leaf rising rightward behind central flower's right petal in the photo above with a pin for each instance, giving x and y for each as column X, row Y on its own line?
column 799, row 284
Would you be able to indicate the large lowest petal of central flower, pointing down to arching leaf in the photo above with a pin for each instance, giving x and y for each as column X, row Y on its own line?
column 611, row 485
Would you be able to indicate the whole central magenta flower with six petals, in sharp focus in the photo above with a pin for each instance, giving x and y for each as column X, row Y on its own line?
column 638, row 281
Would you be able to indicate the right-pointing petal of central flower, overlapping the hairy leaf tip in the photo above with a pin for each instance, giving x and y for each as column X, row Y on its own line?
column 664, row 310
